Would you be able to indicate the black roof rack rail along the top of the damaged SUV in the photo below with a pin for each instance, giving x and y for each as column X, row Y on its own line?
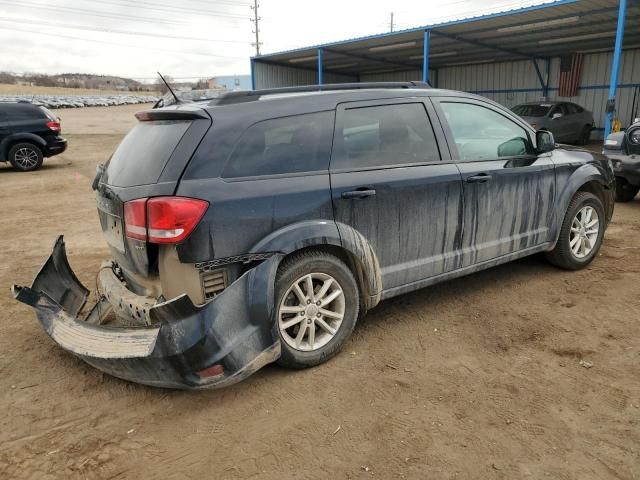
column 250, row 95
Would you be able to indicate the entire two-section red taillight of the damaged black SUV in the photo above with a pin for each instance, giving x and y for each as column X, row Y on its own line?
column 163, row 219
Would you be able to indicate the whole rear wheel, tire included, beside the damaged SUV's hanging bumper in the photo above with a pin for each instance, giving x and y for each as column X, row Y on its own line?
column 314, row 349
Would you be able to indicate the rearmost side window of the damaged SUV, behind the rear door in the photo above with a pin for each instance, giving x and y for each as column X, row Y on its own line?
column 288, row 145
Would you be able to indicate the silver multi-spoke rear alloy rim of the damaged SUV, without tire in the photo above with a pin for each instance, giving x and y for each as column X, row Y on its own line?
column 311, row 312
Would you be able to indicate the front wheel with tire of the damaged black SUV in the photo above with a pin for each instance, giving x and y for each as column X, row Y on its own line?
column 564, row 254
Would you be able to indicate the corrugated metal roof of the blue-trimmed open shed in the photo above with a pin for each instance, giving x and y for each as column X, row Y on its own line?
column 541, row 31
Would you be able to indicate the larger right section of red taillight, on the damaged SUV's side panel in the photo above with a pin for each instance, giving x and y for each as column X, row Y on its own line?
column 172, row 219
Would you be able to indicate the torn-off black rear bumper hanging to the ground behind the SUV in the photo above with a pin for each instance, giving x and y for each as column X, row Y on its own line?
column 183, row 345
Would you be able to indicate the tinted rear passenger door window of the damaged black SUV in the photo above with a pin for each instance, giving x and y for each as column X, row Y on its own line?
column 384, row 136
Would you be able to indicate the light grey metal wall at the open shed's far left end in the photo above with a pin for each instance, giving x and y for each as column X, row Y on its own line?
column 274, row 76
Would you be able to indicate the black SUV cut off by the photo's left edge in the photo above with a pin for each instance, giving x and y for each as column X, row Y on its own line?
column 28, row 134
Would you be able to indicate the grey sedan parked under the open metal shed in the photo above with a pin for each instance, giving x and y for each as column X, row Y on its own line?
column 569, row 123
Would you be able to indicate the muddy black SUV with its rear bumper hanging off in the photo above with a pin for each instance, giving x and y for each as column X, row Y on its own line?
column 259, row 226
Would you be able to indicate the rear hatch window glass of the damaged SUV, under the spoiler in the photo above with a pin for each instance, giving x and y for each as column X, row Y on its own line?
column 143, row 153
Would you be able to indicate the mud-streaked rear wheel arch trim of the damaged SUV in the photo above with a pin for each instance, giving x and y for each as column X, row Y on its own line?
column 351, row 247
